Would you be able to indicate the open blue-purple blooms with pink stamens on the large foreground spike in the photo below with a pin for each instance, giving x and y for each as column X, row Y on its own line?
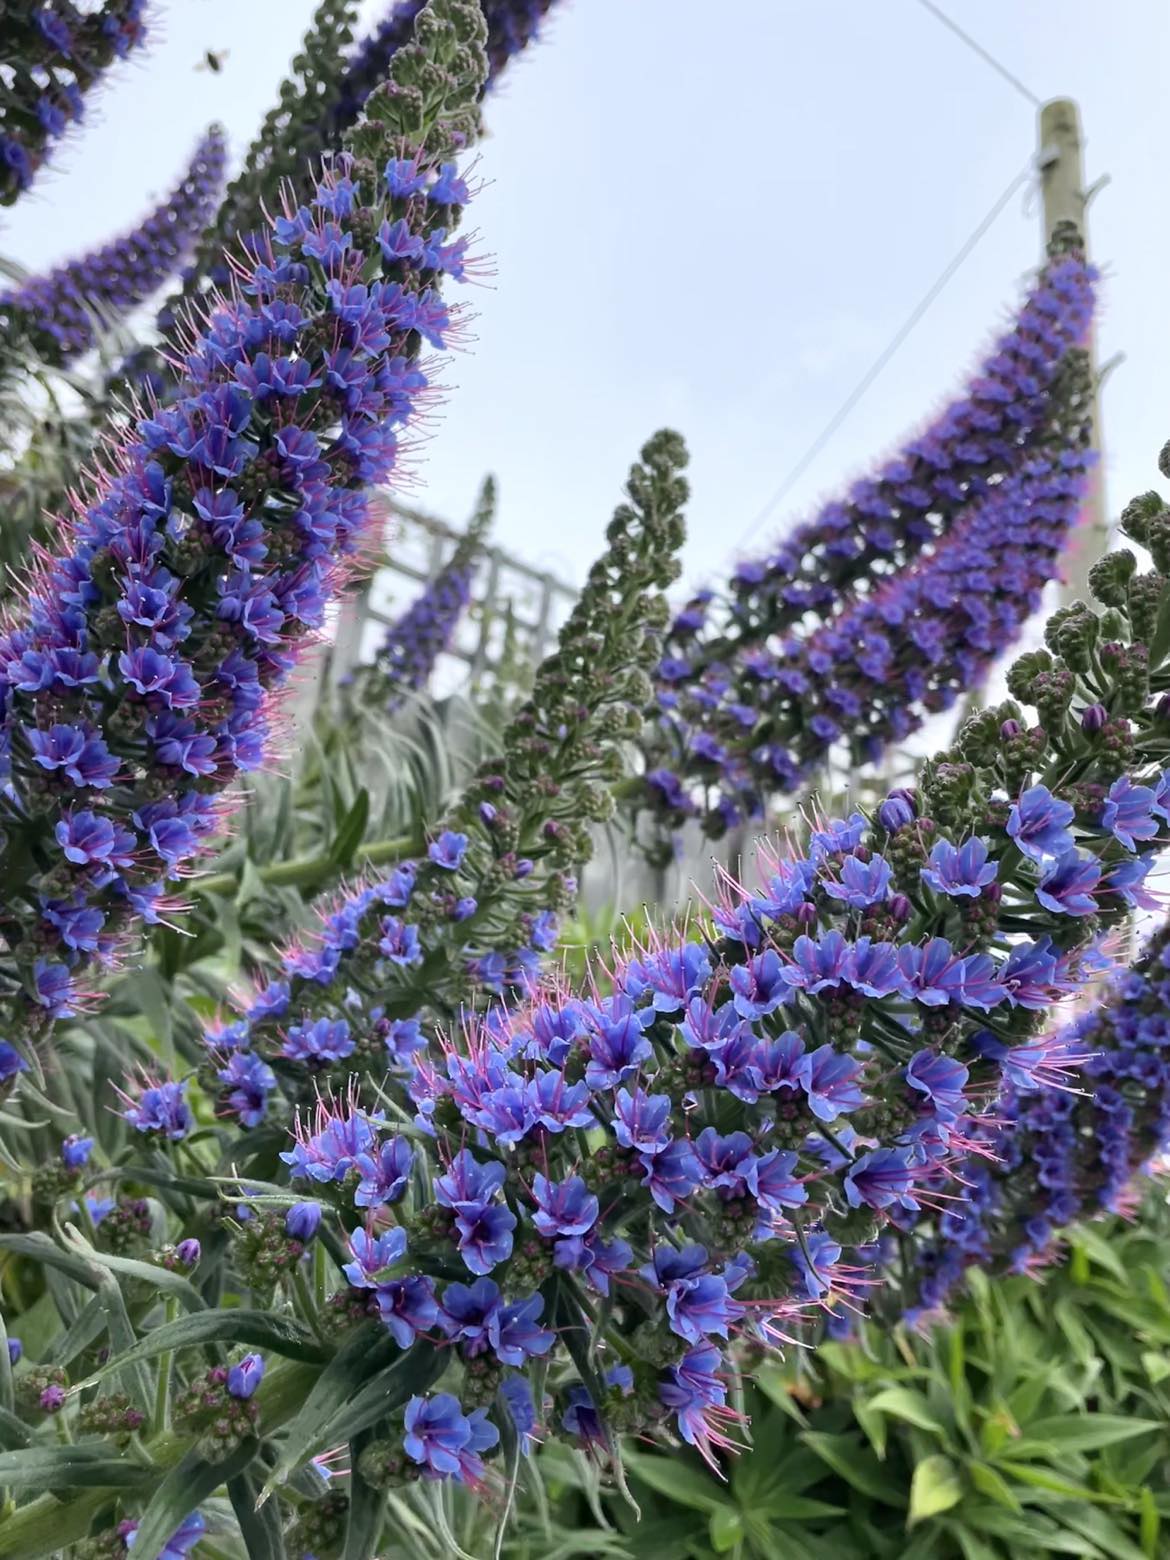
column 707, row 1150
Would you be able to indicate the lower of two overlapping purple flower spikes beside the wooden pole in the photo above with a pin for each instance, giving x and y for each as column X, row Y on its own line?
column 767, row 721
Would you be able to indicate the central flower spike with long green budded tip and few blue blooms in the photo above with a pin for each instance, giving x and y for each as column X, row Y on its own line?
column 470, row 923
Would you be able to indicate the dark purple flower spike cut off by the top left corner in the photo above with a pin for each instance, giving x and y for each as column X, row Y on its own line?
column 52, row 54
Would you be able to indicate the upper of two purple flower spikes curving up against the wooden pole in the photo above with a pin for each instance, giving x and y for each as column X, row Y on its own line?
column 1009, row 416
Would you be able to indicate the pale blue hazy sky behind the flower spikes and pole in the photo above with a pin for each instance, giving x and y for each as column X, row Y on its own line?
column 714, row 216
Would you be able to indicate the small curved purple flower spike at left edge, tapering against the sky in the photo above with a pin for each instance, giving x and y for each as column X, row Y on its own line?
column 63, row 311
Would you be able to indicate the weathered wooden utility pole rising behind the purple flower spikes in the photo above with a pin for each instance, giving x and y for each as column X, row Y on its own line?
column 1066, row 200
